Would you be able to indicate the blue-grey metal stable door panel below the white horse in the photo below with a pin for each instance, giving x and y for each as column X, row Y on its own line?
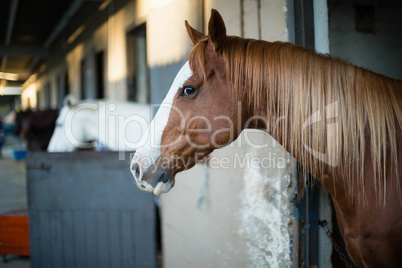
column 85, row 211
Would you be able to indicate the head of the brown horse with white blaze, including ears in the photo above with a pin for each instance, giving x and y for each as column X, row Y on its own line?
column 199, row 114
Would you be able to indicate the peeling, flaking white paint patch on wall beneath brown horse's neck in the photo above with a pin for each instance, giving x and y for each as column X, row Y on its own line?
column 265, row 212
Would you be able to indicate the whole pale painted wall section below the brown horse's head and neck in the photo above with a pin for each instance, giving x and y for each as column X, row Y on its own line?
column 244, row 220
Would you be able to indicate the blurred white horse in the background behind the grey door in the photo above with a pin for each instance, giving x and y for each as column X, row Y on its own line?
column 111, row 125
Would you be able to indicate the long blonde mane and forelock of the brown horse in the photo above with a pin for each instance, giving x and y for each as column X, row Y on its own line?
column 294, row 83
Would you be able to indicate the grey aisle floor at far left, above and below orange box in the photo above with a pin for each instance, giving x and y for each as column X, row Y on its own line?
column 13, row 194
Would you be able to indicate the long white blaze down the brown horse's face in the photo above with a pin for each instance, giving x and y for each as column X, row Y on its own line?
column 147, row 154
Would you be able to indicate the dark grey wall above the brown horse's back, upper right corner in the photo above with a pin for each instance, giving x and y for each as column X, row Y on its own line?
column 379, row 50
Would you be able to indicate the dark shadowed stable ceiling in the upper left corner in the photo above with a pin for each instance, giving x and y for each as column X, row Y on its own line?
column 28, row 30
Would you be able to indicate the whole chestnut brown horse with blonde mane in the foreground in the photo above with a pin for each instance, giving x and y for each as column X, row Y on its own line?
column 341, row 122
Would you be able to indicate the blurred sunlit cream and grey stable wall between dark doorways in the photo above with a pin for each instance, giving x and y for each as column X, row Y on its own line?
column 167, row 49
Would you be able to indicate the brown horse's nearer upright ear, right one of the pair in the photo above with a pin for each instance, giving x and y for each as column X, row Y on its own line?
column 216, row 30
